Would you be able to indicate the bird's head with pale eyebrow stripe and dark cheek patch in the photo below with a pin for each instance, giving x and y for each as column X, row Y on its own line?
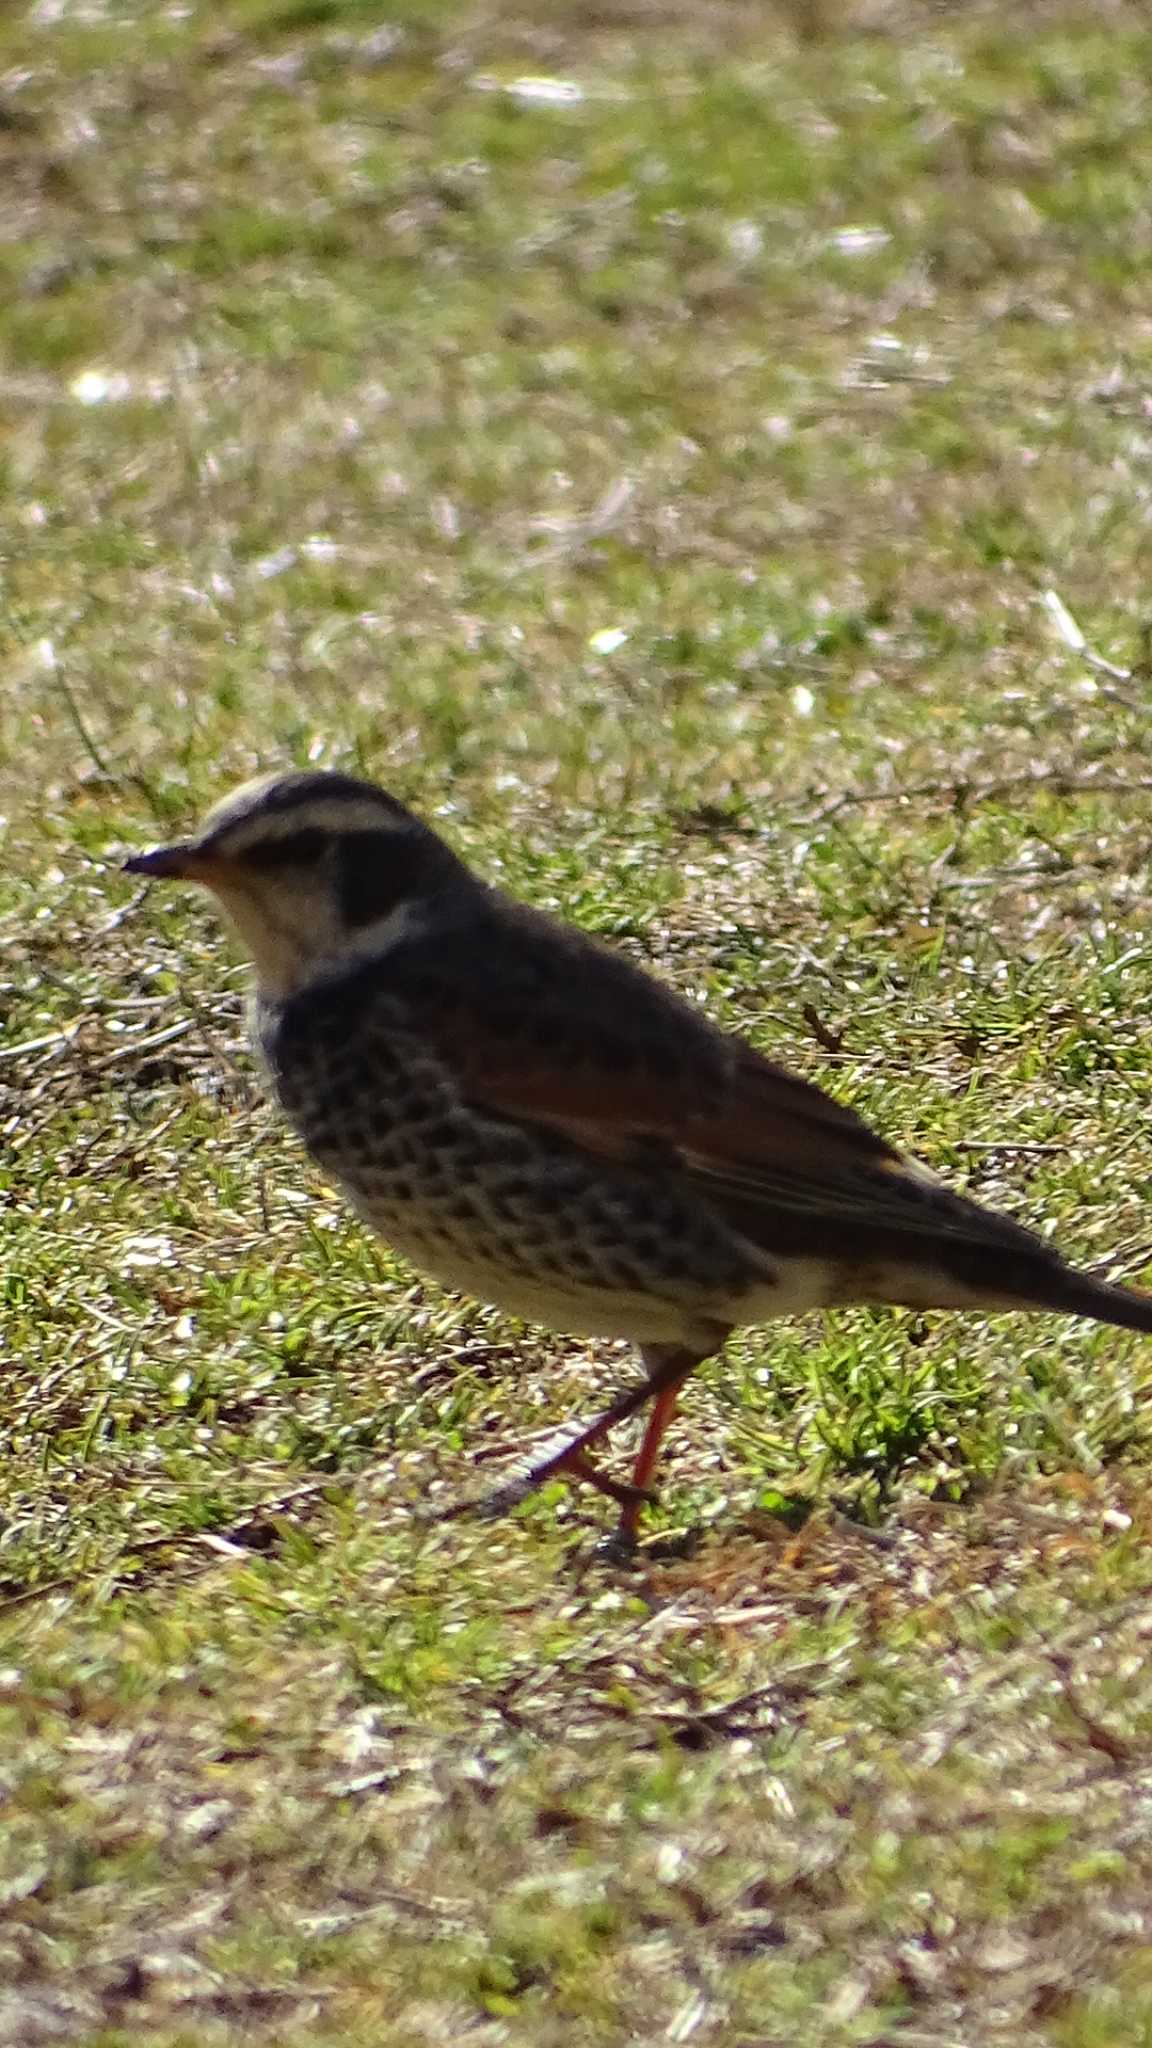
column 315, row 869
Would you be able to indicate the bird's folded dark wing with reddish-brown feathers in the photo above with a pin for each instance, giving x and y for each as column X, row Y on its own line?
column 544, row 1027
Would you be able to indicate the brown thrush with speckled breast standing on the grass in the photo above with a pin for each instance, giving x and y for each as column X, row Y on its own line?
column 540, row 1123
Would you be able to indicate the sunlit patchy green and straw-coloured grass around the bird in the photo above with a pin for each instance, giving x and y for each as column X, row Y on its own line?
column 655, row 476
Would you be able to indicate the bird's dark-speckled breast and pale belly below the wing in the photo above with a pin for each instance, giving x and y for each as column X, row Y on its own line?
column 505, row 1211
